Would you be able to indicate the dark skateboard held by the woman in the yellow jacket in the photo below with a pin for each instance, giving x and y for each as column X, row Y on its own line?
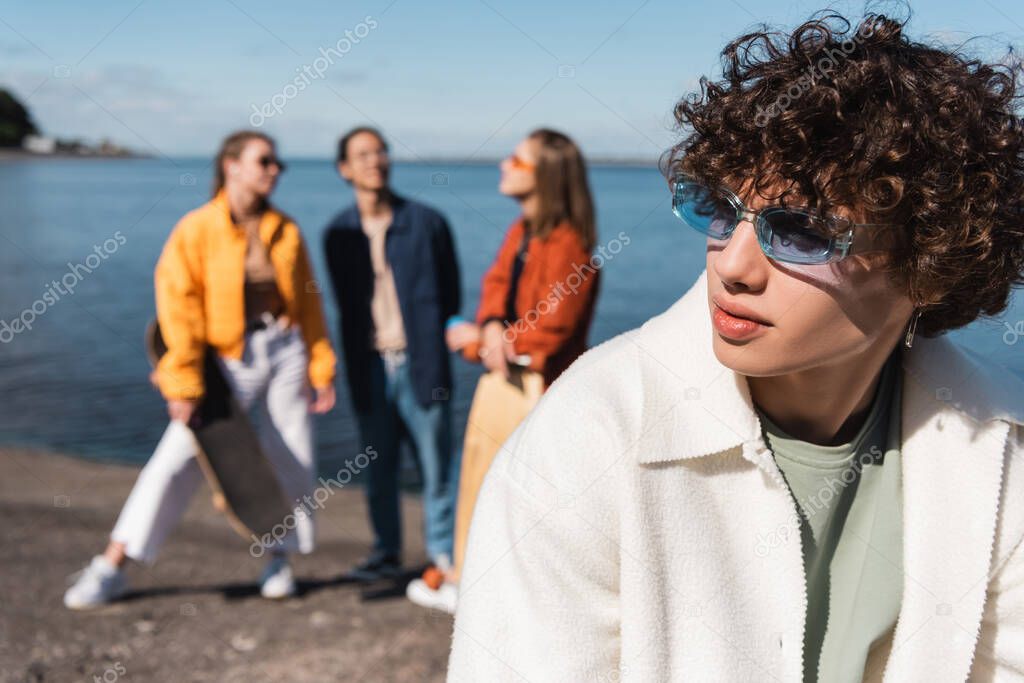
column 244, row 483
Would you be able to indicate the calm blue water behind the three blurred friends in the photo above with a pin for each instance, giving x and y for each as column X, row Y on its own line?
column 77, row 381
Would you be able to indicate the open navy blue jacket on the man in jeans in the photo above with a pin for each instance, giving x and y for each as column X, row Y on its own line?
column 421, row 252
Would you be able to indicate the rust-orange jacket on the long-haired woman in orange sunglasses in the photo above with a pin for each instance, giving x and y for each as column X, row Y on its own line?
column 554, row 300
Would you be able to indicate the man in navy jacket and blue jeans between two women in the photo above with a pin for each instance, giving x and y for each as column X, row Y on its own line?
column 396, row 281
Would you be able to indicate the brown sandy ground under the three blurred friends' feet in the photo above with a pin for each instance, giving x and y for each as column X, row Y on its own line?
column 196, row 615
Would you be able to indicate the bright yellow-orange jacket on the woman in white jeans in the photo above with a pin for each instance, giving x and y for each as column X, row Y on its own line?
column 200, row 282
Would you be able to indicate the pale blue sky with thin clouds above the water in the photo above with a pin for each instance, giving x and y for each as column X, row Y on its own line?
column 456, row 78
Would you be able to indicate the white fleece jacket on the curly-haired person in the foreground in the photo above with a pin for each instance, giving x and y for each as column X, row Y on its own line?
column 636, row 529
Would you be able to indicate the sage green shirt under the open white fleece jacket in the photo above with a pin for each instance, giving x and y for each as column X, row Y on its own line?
column 850, row 504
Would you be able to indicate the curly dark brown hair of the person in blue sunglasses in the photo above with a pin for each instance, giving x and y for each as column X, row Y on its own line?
column 920, row 137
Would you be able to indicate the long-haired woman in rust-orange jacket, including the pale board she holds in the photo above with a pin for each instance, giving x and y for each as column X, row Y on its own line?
column 537, row 303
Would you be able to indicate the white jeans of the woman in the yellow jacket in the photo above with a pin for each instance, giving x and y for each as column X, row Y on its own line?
column 271, row 381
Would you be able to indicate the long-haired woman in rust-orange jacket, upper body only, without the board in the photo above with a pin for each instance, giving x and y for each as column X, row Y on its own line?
column 538, row 297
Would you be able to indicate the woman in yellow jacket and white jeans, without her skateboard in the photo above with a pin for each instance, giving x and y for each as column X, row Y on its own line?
column 234, row 276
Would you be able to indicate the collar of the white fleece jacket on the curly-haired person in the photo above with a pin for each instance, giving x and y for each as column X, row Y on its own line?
column 696, row 407
